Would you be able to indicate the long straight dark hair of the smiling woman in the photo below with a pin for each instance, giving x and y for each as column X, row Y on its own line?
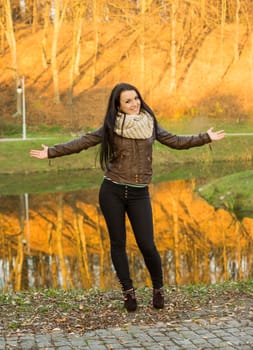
column 106, row 149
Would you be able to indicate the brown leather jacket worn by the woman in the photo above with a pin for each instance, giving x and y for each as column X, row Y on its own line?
column 132, row 161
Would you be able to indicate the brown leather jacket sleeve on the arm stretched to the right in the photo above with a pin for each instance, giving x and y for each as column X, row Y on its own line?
column 181, row 142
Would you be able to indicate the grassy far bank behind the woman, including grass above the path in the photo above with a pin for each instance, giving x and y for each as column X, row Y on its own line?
column 15, row 158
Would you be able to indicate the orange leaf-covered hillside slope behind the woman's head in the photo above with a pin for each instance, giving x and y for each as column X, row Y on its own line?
column 209, row 79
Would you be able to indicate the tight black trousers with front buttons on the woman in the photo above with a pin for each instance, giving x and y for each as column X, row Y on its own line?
column 116, row 201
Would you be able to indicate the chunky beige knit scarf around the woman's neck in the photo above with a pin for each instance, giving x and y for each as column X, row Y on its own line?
column 134, row 126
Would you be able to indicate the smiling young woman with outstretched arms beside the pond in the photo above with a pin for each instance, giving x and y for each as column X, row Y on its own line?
column 126, row 138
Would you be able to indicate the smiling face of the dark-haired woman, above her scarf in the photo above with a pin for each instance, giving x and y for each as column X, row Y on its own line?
column 129, row 102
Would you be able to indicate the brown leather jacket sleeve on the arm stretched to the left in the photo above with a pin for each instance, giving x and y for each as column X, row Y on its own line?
column 88, row 140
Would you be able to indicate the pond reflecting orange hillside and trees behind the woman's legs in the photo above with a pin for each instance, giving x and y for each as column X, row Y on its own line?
column 53, row 234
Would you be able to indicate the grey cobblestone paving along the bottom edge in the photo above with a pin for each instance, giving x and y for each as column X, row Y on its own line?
column 228, row 334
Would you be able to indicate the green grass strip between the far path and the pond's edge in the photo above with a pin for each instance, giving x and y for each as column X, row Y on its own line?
column 15, row 158
